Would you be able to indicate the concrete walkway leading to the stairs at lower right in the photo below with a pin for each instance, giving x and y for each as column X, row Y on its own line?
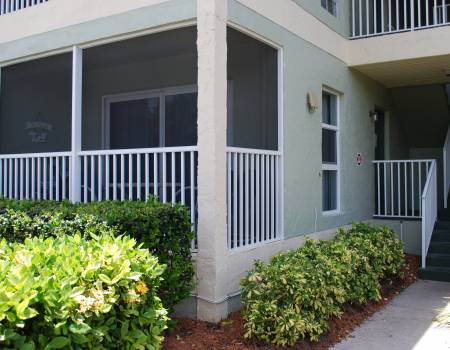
column 408, row 322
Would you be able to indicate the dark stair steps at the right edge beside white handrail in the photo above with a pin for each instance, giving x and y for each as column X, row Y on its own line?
column 438, row 258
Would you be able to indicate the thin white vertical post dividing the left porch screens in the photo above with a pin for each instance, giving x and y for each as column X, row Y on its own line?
column 77, row 88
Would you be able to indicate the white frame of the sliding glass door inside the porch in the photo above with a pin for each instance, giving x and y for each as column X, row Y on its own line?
column 138, row 95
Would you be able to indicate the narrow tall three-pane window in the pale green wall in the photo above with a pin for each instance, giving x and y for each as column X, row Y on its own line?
column 330, row 152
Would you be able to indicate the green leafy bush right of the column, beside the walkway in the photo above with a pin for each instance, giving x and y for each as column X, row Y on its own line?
column 293, row 297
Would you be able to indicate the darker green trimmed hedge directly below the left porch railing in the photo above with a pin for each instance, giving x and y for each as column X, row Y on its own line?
column 164, row 229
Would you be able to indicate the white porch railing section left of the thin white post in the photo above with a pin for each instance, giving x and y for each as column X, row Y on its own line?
column 35, row 176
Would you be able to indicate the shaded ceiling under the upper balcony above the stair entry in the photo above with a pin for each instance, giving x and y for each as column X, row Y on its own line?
column 410, row 72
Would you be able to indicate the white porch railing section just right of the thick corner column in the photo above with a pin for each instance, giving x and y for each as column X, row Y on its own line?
column 254, row 197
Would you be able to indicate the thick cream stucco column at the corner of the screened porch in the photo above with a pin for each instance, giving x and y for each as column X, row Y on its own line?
column 212, row 131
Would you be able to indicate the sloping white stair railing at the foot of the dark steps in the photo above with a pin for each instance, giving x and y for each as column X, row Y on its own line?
column 429, row 205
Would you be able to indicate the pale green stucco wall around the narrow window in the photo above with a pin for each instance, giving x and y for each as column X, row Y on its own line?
column 308, row 69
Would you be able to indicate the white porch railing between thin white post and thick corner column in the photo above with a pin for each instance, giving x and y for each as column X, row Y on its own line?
column 135, row 174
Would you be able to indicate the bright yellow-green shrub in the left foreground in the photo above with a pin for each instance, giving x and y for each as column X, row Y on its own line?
column 73, row 293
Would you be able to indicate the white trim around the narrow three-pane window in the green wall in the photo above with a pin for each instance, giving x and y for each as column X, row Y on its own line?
column 334, row 167
